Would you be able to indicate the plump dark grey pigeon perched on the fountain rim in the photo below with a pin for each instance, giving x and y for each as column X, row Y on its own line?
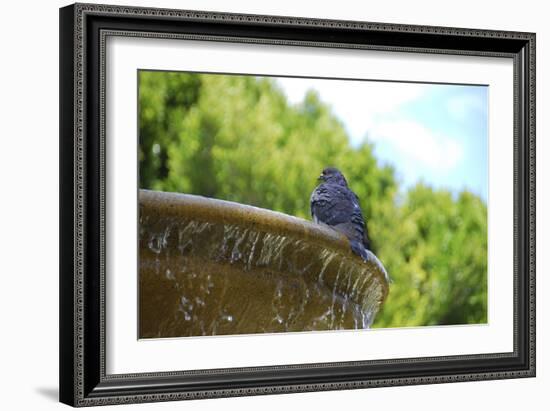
column 335, row 205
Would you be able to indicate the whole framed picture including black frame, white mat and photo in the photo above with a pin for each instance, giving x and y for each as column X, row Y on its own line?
column 262, row 204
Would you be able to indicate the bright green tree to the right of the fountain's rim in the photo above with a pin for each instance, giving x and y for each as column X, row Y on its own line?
column 437, row 255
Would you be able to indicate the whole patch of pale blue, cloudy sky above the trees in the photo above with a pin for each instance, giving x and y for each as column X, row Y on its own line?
column 434, row 133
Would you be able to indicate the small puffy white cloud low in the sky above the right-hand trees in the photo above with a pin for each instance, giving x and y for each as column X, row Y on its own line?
column 417, row 143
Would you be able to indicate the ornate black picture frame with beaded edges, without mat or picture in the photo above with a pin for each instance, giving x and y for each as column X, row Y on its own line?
column 83, row 30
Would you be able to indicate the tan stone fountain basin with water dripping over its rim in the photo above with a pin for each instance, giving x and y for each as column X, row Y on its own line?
column 212, row 267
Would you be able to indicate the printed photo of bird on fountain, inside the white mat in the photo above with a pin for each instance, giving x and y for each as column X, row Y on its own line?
column 272, row 204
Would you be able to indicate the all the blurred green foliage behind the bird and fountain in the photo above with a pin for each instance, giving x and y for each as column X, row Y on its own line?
column 237, row 138
